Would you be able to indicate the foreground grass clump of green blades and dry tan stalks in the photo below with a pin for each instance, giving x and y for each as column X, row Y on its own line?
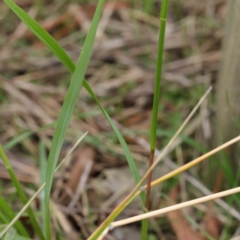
column 48, row 164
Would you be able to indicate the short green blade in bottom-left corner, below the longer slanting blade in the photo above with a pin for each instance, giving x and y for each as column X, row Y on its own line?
column 7, row 211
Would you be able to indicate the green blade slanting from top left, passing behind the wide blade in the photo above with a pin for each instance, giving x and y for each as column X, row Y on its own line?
column 58, row 51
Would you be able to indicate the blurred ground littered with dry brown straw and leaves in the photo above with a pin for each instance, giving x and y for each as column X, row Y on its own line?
column 121, row 73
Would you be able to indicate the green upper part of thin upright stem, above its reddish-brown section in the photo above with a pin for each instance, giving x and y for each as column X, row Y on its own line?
column 163, row 16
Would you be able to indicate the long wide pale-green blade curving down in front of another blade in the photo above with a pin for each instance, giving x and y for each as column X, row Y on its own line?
column 68, row 107
